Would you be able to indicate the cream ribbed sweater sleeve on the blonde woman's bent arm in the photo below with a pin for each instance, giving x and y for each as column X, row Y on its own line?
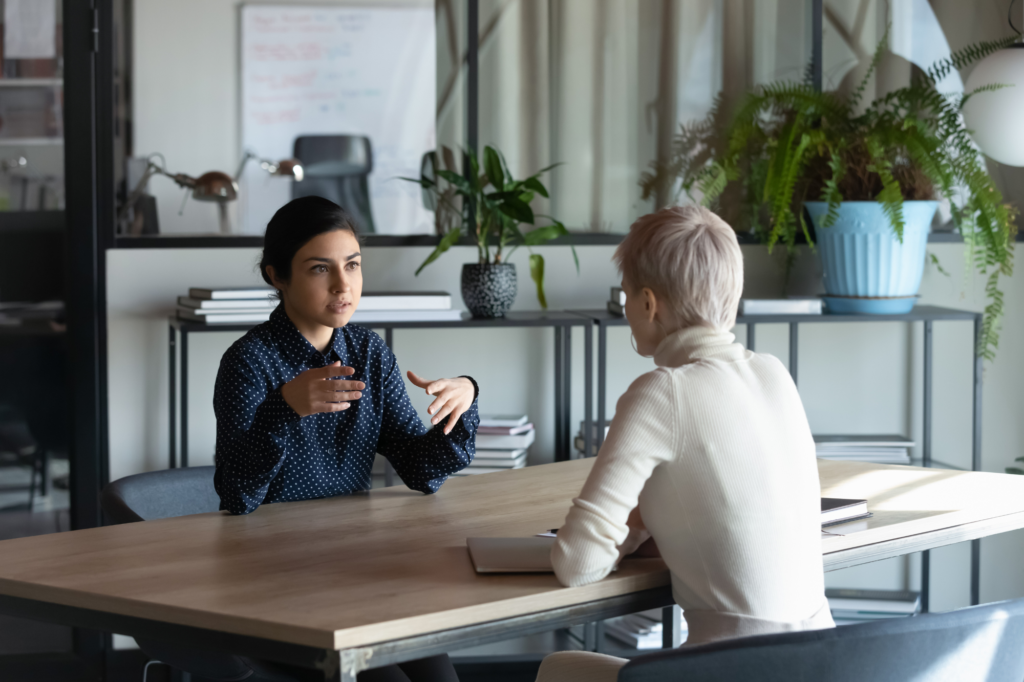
column 643, row 437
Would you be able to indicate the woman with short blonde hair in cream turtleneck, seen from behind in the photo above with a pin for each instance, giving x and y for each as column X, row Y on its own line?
column 709, row 457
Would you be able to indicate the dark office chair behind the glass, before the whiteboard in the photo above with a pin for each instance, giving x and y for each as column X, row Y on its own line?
column 337, row 167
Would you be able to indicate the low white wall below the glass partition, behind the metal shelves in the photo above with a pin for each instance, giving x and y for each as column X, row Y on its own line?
column 854, row 378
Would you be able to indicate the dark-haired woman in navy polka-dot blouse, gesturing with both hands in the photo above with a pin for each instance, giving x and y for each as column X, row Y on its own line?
column 306, row 401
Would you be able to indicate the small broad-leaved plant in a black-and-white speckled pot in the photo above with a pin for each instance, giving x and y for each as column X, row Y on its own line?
column 490, row 206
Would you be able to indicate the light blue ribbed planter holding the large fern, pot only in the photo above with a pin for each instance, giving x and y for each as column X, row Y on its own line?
column 867, row 269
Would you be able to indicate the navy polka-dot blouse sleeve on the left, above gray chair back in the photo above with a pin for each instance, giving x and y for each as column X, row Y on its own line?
column 253, row 430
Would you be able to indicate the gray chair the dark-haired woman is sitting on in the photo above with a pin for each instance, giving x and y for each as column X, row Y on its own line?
column 178, row 493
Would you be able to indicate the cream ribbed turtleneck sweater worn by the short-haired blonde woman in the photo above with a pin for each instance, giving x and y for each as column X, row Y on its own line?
column 715, row 446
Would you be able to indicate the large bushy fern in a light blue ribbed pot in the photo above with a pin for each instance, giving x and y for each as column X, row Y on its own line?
column 868, row 180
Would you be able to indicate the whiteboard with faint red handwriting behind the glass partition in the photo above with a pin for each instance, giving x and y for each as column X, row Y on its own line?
column 321, row 71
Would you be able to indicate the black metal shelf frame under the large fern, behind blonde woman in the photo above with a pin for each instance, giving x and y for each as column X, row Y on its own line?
column 927, row 315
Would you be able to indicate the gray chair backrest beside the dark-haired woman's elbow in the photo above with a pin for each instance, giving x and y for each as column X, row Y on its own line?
column 161, row 495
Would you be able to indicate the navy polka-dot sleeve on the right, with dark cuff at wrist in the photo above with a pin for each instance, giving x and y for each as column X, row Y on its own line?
column 423, row 459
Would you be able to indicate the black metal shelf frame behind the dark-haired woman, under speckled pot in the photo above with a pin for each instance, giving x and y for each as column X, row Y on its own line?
column 562, row 322
